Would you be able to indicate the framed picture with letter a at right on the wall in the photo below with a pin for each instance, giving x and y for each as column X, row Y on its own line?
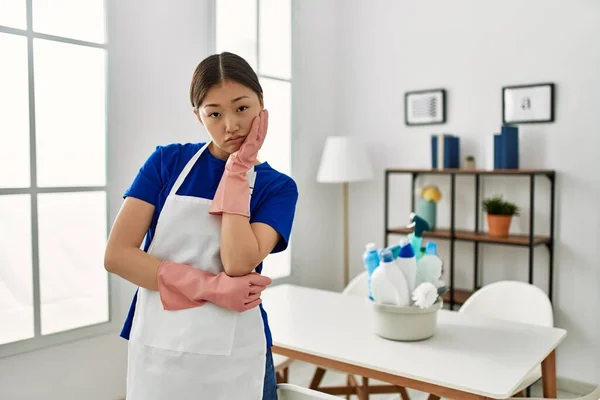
column 528, row 103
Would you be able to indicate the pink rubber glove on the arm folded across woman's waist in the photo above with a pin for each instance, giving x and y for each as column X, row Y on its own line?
column 181, row 286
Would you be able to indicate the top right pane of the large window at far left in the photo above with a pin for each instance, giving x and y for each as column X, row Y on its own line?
column 75, row 19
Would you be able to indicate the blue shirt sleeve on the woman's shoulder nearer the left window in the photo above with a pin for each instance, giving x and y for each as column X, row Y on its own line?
column 149, row 180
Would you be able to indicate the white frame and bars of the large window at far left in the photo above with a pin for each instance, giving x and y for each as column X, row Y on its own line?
column 39, row 341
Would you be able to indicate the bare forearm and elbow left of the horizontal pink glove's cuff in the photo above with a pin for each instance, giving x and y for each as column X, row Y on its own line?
column 134, row 265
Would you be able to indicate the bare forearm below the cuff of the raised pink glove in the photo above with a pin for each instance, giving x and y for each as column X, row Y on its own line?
column 240, row 250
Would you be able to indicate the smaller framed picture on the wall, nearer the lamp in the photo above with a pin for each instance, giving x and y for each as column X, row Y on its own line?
column 425, row 107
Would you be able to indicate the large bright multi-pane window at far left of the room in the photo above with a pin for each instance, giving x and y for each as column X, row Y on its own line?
column 53, row 189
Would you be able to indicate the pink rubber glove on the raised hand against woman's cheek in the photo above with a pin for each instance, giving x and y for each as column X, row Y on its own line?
column 233, row 193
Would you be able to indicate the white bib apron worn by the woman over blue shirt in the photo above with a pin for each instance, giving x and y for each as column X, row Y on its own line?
column 204, row 352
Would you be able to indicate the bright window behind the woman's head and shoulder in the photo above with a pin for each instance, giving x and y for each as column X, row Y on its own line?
column 261, row 32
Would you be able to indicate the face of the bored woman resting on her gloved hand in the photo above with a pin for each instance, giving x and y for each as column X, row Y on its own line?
column 227, row 113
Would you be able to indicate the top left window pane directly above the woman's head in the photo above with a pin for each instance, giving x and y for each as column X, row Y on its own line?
column 236, row 28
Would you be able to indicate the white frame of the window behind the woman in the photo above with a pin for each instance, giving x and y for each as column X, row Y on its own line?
column 211, row 47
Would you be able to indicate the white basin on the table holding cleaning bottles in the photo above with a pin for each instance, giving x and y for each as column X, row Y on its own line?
column 406, row 324
